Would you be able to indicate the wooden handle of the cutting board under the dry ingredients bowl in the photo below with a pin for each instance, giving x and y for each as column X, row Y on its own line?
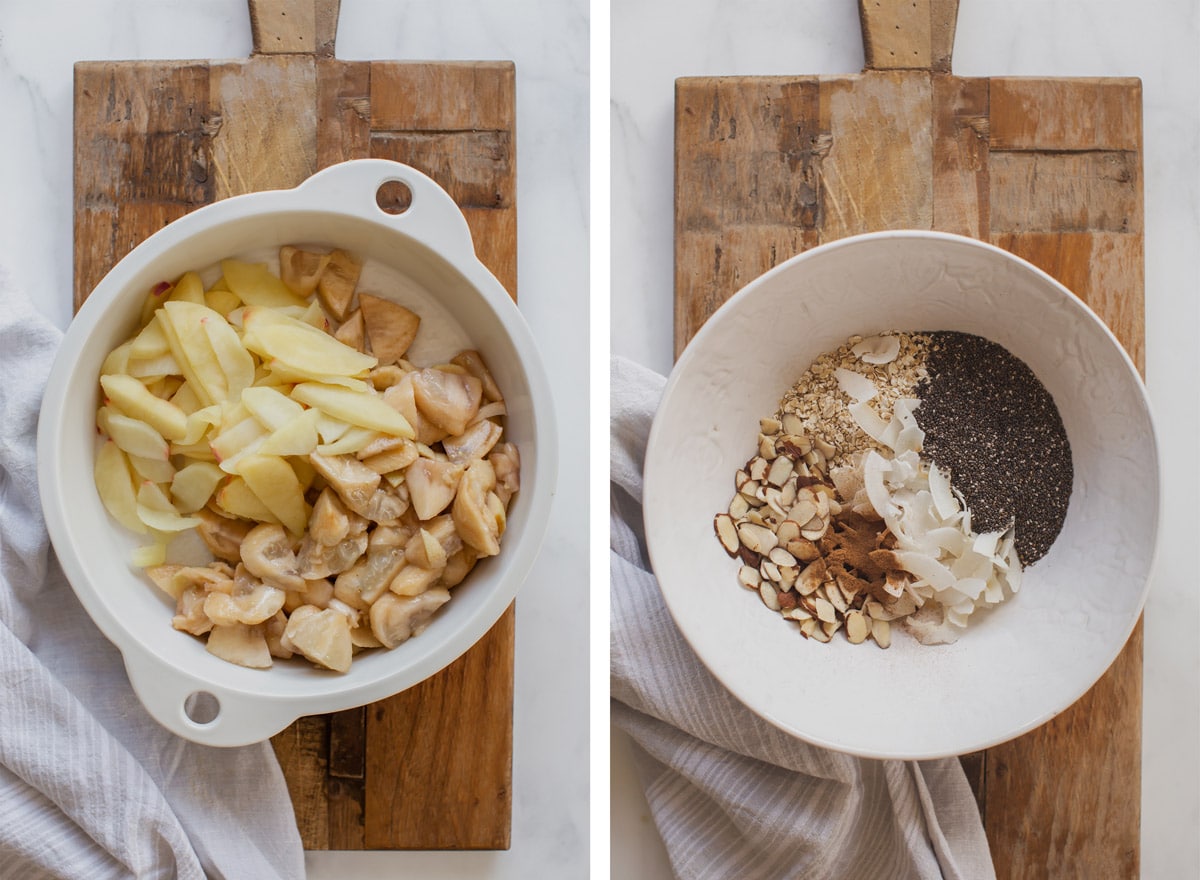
column 909, row 34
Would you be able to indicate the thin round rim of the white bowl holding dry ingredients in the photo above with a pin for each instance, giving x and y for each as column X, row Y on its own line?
column 655, row 496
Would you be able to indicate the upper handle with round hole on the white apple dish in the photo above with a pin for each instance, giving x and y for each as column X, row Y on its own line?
column 430, row 217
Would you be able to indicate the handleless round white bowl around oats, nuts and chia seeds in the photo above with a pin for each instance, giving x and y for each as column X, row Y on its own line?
column 1016, row 667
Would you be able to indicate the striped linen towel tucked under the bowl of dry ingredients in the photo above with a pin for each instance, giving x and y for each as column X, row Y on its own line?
column 734, row 798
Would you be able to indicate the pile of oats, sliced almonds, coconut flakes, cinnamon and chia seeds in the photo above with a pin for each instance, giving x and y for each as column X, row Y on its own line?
column 905, row 478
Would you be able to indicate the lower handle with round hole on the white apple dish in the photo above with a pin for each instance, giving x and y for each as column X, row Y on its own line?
column 202, row 711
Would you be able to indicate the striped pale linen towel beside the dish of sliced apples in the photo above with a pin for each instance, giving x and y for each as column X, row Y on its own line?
column 91, row 786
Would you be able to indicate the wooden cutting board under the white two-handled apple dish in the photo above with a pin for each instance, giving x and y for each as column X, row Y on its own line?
column 433, row 768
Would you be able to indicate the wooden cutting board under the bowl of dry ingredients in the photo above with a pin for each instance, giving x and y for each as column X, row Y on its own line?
column 1051, row 170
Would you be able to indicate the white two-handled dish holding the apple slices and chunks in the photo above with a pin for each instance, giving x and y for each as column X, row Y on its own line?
column 425, row 260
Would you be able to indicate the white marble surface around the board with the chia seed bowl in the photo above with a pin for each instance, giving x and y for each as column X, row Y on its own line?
column 657, row 43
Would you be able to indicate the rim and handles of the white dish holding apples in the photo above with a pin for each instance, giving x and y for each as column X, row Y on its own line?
column 255, row 713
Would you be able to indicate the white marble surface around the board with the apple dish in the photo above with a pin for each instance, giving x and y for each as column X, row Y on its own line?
column 40, row 40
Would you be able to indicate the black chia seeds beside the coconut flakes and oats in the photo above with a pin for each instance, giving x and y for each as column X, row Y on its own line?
column 995, row 428
